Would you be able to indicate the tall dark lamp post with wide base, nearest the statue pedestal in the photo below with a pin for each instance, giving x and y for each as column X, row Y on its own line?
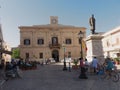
column 83, row 71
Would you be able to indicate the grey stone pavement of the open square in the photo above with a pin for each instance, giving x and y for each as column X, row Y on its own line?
column 52, row 77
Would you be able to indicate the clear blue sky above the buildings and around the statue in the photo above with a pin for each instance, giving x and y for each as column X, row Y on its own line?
column 14, row 13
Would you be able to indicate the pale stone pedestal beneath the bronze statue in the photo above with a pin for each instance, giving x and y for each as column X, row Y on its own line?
column 94, row 47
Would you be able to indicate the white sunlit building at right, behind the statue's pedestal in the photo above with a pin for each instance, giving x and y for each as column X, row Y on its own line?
column 111, row 43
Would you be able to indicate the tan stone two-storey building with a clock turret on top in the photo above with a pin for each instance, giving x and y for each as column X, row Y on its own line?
column 40, row 42
